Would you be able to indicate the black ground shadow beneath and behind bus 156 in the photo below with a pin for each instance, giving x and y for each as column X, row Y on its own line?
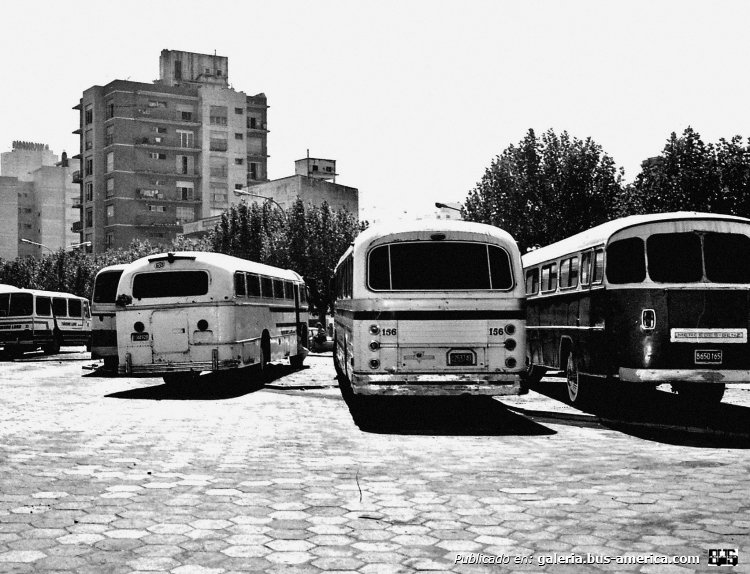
column 449, row 416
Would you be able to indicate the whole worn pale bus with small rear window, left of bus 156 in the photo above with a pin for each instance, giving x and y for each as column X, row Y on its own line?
column 183, row 313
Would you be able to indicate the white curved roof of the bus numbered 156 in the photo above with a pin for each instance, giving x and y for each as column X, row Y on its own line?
column 489, row 232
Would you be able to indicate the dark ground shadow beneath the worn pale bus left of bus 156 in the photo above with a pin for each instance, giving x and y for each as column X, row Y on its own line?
column 211, row 386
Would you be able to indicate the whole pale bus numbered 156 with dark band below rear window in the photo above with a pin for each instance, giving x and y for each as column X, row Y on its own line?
column 429, row 308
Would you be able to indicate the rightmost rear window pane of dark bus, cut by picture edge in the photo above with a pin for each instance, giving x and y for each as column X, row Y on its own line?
column 727, row 257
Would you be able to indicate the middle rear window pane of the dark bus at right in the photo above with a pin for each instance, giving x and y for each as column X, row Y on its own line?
column 675, row 257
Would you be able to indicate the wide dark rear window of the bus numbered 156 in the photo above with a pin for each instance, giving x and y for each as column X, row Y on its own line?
column 439, row 266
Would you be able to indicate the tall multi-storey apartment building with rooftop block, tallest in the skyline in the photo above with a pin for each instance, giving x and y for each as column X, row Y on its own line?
column 156, row 156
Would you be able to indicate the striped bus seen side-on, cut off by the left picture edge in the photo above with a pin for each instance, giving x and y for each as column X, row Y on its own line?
column 30, row 319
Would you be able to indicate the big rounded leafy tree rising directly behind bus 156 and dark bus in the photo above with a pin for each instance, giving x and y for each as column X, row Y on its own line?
column 543, row 190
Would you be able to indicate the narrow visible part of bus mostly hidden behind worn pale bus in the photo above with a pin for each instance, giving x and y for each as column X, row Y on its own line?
column 103, row 327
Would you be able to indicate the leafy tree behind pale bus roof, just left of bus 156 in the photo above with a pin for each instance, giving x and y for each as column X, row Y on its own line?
column 306, row 238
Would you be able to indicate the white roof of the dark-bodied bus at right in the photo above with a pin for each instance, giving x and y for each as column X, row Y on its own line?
column 600, row 234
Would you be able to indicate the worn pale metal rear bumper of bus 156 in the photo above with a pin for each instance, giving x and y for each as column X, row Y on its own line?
column 437, row 385
